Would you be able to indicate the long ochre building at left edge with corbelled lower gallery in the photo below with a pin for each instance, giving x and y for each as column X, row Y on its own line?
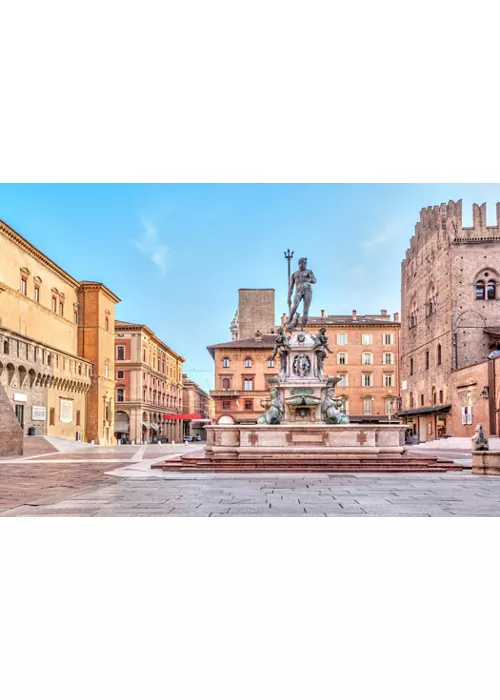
column 50, row 361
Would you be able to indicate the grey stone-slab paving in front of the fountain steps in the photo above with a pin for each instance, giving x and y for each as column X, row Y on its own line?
column 337, row 495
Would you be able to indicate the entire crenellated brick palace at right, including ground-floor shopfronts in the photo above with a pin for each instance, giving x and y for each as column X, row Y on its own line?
column 450, row 324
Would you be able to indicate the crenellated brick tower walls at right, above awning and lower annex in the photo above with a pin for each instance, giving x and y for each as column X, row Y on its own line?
column 450, row 297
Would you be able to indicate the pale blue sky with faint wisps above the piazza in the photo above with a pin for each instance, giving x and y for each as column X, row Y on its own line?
column 177, row 254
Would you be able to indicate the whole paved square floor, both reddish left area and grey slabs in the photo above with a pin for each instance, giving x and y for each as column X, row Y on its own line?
column 119, row 481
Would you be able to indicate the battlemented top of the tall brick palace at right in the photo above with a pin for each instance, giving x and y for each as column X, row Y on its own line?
column 444, row 222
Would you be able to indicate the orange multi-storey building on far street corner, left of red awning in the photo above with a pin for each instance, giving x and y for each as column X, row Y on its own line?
column 148, row 385
